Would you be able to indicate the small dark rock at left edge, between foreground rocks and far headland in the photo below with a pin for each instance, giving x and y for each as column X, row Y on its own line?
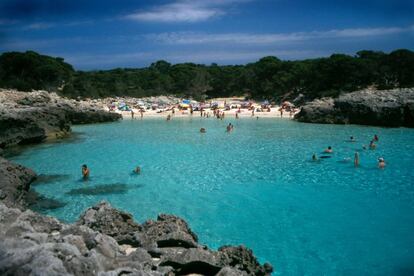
column 14, row 183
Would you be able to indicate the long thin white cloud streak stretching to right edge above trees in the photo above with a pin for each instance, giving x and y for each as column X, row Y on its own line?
column 266, row 39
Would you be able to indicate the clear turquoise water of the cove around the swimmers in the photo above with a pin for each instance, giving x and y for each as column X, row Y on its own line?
column 255, row 186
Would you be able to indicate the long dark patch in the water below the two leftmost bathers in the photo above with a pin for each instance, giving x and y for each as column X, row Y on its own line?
column 116, row 188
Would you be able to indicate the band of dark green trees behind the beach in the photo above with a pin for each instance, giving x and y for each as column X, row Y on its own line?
column 268, row 78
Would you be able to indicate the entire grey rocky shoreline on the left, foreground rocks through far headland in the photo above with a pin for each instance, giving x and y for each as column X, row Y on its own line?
column 104, row 241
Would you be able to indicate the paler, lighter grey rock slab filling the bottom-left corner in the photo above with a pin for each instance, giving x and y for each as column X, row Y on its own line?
column 37, row 245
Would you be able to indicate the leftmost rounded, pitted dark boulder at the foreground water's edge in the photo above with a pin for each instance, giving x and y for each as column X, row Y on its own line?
column 114, row 223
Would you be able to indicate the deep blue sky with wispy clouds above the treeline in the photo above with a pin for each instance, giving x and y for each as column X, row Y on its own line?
column 93, row 34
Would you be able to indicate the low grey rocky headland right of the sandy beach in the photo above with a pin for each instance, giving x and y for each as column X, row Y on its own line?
column 391, row 108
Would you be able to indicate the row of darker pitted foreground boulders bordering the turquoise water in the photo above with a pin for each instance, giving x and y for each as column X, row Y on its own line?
column 171, row 243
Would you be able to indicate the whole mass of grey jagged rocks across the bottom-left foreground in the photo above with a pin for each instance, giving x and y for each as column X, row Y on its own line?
column 103, row 242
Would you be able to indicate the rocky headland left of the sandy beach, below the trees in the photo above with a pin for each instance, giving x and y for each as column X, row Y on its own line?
column 36, row 116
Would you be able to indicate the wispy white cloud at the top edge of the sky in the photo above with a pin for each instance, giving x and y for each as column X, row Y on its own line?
column 184, row 11
